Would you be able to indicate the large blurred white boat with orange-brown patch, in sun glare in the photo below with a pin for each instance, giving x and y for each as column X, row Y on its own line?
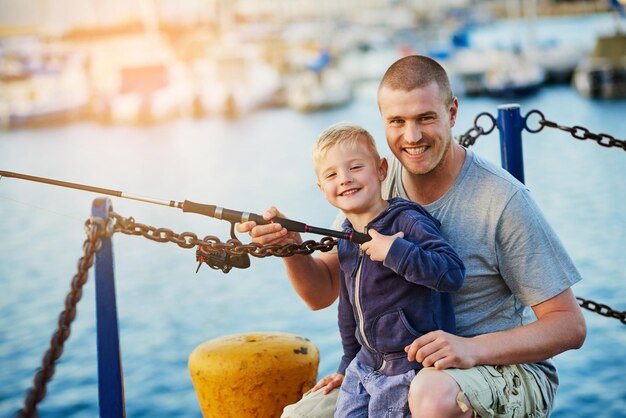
column 138, row 79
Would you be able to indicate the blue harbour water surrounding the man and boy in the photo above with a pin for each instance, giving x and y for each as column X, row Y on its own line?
column 166, row 310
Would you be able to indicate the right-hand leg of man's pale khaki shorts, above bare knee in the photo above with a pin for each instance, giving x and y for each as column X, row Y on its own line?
column 501, row 391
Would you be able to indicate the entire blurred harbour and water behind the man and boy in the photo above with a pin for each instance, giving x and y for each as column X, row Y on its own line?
column 219, row 102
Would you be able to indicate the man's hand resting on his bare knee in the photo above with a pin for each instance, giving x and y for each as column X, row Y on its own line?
column 442, row 350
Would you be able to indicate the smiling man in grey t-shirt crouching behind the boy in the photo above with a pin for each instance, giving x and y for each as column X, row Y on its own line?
column 515, row 309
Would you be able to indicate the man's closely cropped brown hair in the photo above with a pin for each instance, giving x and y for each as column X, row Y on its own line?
column 417, row 71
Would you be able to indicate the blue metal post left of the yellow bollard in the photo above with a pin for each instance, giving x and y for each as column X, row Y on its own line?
column 110, row 376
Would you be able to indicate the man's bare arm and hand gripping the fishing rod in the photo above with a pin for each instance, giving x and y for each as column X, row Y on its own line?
column 315, row 279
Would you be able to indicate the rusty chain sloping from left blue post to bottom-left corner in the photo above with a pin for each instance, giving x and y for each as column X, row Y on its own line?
column 96, row 229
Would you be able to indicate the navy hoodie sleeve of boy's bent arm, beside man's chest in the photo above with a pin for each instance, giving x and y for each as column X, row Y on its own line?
column 424, row 257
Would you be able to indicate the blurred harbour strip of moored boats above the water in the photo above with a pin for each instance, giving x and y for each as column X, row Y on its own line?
column 148, row 61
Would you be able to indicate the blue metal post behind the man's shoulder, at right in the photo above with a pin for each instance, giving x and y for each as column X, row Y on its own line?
column 510, row 125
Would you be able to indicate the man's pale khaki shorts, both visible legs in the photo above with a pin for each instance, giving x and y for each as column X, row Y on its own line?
column 514, row 389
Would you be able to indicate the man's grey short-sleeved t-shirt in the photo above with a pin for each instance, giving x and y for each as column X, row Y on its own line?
column 512, row 256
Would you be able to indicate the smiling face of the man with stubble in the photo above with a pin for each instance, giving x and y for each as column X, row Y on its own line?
column 418, row 126
